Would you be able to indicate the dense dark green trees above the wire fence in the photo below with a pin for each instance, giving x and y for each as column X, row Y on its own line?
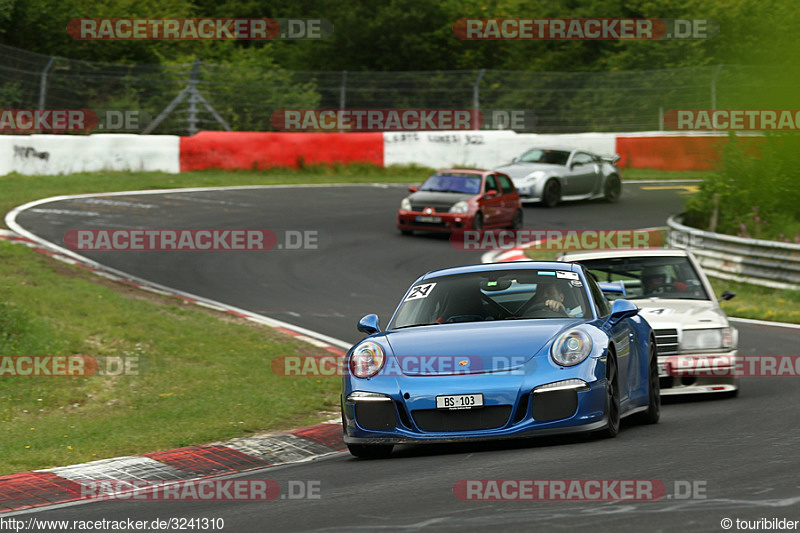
column 417, row 34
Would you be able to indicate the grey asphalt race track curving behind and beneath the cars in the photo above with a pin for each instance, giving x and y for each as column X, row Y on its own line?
column 741, row 453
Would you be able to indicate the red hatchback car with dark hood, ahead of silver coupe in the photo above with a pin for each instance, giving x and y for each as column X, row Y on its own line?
column 458, row 199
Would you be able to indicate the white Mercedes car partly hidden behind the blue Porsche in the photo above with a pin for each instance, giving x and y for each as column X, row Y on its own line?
column 677, row 300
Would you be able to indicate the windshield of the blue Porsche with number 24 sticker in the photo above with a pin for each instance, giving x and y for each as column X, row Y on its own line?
column 497, row 295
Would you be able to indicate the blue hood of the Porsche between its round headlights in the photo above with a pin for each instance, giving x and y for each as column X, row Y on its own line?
column 473, row 347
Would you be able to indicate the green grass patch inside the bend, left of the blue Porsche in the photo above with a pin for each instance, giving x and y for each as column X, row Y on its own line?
column 203, row 376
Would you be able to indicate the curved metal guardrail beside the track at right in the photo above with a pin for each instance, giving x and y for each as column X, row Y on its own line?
column 766, row 263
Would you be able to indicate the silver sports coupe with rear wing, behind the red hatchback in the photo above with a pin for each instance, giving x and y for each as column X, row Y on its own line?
column 551, row 175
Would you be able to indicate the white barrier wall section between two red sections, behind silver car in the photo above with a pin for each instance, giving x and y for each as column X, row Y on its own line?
column 481, row 149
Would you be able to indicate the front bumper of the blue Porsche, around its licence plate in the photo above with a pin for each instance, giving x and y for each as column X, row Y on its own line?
column 522, row 403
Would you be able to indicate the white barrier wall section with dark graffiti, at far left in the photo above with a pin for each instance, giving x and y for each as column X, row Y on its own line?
column 67, row 154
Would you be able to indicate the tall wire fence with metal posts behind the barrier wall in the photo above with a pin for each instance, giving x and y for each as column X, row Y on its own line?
column 244, row 99
